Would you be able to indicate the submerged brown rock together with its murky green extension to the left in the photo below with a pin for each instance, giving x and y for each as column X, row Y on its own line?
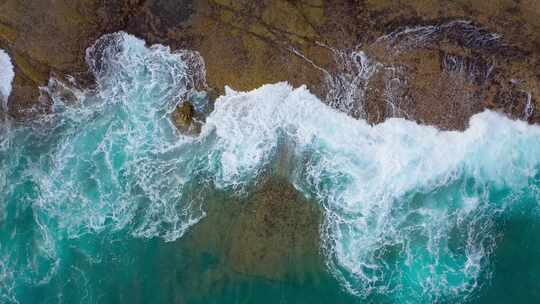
column 271, row 234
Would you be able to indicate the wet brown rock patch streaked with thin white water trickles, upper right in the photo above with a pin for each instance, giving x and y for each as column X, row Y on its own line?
column 440, row 75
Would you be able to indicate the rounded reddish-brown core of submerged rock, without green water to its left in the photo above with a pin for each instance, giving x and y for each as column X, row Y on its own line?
column 276, row 234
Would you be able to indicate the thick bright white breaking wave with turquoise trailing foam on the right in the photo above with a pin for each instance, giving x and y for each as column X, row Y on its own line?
column 410, row 211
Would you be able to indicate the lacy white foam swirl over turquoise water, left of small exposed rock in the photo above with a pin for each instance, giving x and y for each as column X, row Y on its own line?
column 116, row 158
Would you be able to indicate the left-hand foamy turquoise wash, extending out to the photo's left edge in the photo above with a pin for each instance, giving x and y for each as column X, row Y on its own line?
column 107, row 159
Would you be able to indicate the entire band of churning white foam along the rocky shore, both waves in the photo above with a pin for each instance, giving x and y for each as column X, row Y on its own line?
column 411, row 213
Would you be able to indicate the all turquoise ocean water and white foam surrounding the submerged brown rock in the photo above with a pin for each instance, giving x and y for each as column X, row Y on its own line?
column 103, row 200
